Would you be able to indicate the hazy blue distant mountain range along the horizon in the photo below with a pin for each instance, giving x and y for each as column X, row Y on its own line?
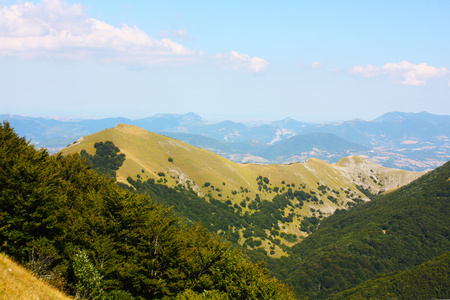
column 410, row 141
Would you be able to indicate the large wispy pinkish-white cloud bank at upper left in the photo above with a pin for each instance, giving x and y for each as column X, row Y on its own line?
column 55, row 29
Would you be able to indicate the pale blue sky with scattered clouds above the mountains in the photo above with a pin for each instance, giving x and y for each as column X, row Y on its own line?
column 312, row 61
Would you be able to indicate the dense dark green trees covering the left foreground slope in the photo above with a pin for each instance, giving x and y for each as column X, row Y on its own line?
column 66, row 222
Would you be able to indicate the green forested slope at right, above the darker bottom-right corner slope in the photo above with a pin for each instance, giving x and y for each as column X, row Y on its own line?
column 394, row 232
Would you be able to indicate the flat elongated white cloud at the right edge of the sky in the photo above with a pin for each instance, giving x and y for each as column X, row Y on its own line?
column 409, row 73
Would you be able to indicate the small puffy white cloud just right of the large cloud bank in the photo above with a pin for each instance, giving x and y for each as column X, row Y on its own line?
column 238, row 61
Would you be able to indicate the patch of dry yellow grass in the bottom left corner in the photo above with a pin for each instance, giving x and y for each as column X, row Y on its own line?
column 20, row 284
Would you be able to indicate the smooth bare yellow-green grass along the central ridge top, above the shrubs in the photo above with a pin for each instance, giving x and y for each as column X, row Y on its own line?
column 150, row 152
